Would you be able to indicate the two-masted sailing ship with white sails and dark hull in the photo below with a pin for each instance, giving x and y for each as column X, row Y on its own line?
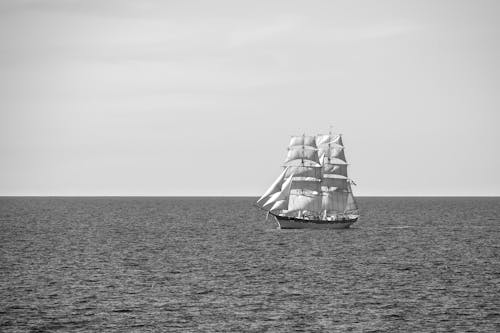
column 313, row 191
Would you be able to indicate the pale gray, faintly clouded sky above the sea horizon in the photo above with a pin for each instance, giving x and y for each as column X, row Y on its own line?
column 200, row 97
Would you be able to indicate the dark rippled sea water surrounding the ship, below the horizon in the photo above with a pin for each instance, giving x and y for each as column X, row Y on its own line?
column 215, row 265
